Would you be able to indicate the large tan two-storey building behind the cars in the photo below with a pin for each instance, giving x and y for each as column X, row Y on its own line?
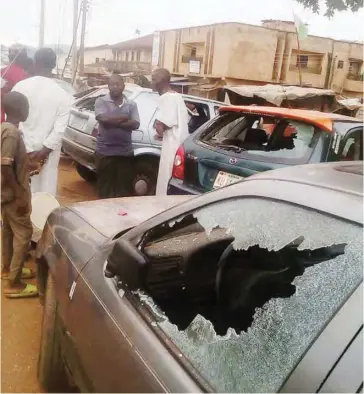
column 236, row 54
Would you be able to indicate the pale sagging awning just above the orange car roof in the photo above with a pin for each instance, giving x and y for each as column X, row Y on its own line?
column 276, row 94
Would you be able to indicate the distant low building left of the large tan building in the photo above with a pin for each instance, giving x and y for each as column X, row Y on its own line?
column 133, row 55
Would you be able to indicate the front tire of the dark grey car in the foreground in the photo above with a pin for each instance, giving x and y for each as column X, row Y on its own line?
column 52, row 373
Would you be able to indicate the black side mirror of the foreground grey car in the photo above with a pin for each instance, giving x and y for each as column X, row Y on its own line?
column 128, row 263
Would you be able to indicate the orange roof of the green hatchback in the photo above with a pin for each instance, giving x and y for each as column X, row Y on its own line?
column 322, row 120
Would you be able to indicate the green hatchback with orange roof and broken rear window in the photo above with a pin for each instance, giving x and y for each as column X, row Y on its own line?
column 245, row 140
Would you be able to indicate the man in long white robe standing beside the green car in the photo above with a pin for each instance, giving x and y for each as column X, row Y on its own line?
column 171, row 125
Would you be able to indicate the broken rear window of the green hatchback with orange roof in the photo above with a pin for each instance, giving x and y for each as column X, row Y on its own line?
column 262, row 136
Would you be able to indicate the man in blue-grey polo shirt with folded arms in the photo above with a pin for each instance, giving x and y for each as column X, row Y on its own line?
column 117, row 117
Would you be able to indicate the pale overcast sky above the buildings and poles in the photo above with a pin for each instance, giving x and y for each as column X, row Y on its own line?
column 112, row 21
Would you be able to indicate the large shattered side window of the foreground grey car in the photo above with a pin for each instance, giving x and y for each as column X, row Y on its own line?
column 243, row 287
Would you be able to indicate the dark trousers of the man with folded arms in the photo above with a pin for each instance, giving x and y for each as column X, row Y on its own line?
column 114, row 176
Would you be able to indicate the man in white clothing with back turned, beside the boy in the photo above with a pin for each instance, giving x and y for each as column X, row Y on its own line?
column 49, row 107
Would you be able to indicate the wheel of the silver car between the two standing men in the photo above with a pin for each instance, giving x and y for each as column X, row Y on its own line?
column 145, row 178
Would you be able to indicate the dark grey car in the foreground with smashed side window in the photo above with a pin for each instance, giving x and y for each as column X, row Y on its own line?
column 256, row 287
